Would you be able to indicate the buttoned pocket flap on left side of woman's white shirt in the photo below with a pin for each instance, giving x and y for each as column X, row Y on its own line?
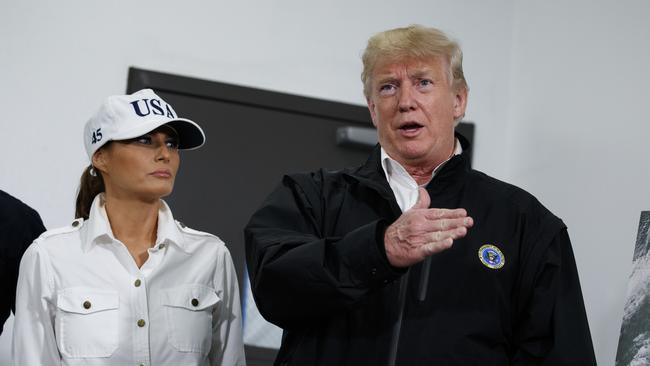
column 83, row 300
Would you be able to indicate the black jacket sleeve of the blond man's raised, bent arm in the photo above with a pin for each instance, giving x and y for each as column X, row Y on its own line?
column 297, row 273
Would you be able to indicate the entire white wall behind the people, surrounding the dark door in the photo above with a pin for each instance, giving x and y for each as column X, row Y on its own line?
column 58, row 60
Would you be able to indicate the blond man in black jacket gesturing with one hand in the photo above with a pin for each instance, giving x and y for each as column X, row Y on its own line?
column 382, row 264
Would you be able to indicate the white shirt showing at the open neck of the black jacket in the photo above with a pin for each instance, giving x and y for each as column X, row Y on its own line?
column 404, row 187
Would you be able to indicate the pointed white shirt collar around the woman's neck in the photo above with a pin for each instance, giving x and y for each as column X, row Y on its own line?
column 97, row 229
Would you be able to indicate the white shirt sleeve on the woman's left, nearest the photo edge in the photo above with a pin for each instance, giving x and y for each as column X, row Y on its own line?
column 34, row 342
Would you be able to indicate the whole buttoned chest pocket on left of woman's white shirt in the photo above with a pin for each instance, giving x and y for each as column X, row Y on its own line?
column 86, row 322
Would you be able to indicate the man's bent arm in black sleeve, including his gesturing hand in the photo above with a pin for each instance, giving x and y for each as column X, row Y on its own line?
column 300, row 273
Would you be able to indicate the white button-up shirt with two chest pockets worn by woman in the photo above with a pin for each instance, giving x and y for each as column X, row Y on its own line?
column 82, row 300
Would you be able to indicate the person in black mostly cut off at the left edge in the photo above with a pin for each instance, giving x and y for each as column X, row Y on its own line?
column 19, row 226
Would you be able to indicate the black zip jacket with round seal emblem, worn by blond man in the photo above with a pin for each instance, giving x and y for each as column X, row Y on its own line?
column 318, row 269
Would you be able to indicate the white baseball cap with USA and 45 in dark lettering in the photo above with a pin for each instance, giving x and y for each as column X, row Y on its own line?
column 123, row 117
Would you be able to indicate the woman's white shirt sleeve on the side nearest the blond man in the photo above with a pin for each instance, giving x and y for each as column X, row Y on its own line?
column 227, row 342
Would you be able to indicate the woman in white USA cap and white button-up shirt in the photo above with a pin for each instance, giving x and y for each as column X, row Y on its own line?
column 125, row 284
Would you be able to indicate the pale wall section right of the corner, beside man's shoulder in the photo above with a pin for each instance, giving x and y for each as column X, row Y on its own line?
column 579, row 124
